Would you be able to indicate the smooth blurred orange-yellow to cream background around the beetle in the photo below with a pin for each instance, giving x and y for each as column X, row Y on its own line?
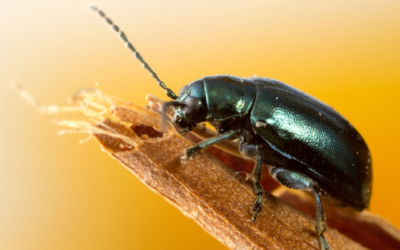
column 57, row 194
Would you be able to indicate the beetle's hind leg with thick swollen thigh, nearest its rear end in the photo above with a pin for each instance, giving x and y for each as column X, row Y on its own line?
column 299, row 181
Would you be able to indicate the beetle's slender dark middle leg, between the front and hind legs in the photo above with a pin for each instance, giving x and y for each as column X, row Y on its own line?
column 255, row 176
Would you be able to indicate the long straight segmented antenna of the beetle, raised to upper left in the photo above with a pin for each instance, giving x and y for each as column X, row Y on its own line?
column 122, row 35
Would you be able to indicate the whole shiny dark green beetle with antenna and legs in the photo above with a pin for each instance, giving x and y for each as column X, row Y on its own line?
column 305, row 143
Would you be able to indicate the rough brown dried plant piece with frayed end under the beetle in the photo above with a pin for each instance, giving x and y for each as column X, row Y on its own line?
column 209, row 191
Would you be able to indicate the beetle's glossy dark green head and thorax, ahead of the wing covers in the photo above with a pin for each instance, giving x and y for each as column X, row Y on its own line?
column 215, row 98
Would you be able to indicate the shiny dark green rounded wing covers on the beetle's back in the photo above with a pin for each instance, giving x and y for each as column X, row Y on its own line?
column 308, row 136
